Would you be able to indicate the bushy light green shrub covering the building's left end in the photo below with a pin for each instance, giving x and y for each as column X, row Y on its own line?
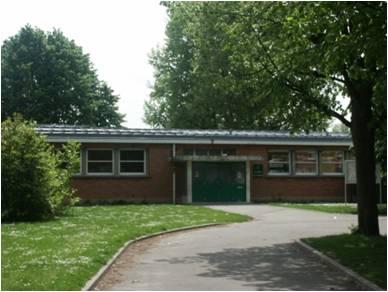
column 35, row 176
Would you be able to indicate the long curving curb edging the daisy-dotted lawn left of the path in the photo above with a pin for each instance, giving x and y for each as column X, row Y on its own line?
column 93, row 281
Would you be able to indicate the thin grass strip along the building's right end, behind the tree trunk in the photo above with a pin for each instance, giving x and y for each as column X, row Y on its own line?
column 331, row 207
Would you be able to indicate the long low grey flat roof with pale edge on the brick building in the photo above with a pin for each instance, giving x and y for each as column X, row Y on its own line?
column 62, row 133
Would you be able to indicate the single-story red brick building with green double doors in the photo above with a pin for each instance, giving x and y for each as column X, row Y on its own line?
column 190, row 166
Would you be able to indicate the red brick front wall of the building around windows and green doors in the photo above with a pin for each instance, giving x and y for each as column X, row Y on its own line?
column 157, row 185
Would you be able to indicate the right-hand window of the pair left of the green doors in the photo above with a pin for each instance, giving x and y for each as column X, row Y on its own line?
column 132, row 162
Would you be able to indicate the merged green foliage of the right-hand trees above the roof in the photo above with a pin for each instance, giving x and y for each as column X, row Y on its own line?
column 275, row 65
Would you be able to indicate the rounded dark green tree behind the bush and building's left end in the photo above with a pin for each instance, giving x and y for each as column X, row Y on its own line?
column 46, row 77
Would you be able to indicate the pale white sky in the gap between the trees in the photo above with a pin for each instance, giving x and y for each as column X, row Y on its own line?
column 118, row 35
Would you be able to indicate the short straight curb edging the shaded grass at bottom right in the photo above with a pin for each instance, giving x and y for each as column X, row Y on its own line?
column 359, row 281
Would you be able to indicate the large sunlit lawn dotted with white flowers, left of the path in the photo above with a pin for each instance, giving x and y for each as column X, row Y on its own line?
column 63, row 254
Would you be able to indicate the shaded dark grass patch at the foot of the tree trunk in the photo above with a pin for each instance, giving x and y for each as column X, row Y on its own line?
column 365, row 255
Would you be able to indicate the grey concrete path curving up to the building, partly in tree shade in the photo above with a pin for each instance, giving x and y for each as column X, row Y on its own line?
column 256, row 255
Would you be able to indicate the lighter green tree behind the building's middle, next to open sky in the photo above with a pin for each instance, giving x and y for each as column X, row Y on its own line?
column 198, row 84
